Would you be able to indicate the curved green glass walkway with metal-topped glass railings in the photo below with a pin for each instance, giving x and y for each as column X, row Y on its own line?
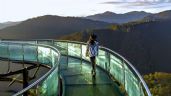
column 115, row 75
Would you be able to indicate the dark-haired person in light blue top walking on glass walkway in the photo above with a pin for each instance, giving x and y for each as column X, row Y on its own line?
column 92, row 51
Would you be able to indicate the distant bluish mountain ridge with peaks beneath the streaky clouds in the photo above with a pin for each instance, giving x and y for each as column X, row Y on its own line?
column 119, row 18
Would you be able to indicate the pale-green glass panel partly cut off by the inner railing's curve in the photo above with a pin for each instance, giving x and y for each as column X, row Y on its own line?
column 62, row 47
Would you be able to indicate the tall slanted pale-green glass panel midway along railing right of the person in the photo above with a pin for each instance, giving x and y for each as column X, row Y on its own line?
column 116, row 68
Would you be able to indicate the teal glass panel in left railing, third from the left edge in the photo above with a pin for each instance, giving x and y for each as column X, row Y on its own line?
column 30, row 53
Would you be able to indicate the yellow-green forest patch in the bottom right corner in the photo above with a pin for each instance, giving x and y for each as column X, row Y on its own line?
column 159, row 83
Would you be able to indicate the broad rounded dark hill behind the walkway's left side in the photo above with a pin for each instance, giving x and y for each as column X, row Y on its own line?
column 49, row 27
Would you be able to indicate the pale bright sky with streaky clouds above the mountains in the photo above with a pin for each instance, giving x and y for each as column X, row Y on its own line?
column 19, row 10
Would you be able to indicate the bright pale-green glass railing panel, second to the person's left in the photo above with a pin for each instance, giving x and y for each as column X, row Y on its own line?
column 74, row 50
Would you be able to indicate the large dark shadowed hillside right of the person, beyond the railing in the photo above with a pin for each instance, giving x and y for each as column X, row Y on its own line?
column 146, row 45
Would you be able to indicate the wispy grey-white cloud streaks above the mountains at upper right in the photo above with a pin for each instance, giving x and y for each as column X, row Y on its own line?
column 141, row 3
